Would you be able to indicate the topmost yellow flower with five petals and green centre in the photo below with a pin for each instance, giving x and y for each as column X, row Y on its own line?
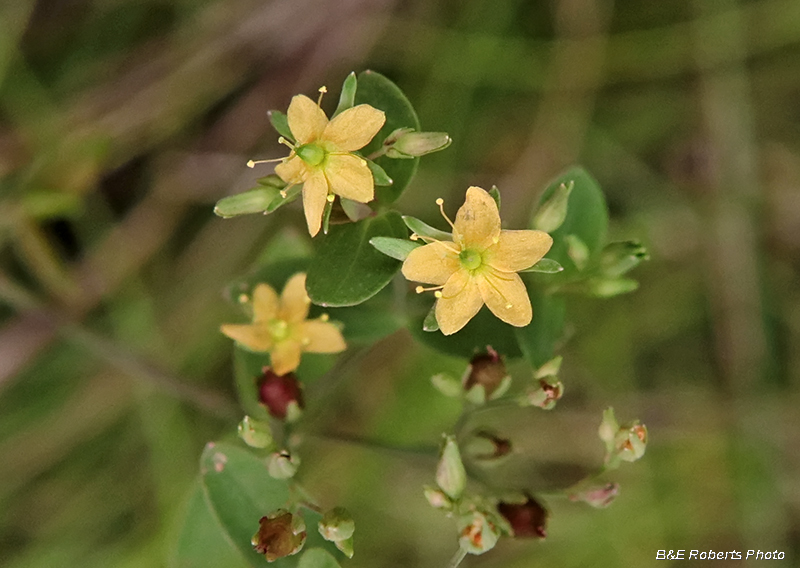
column 322, row 157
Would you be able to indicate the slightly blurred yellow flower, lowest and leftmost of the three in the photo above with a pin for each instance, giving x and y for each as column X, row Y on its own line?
column 280, row 326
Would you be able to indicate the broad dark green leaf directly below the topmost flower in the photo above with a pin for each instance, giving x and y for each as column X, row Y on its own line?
column 345, row 269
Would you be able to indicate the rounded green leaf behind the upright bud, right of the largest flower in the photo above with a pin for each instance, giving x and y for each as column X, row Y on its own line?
column 586, row 219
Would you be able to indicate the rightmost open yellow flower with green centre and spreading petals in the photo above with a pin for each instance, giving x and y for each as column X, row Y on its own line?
column 478, row 266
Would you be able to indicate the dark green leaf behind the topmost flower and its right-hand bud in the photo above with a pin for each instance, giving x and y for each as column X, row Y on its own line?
column 376, row 90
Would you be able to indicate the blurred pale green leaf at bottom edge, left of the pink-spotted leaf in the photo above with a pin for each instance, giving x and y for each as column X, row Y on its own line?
column 202, row 542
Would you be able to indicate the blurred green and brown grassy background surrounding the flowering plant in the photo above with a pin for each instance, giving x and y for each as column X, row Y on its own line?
column 122, row 122
